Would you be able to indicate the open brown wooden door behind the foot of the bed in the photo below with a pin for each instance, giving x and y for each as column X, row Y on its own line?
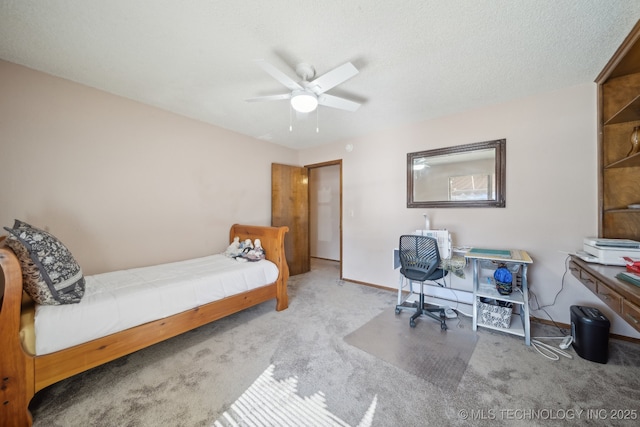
column 290, row 207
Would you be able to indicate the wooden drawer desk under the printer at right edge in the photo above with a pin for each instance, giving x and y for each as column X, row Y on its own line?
column 621, row 297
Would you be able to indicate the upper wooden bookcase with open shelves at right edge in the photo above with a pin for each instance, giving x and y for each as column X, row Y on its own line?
column 618, row 114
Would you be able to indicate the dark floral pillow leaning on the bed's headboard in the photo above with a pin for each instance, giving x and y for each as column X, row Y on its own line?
column 50, row 274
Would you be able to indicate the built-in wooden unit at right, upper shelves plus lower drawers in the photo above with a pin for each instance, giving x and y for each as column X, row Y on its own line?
column 619, row 176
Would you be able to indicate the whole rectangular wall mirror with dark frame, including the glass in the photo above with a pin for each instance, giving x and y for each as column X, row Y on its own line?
column 471, row 175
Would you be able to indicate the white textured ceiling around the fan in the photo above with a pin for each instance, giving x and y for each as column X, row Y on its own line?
column 418, row 59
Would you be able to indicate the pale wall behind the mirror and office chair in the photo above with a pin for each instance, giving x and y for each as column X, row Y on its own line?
column 551, row 194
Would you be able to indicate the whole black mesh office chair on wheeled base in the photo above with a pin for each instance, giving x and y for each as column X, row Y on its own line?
column 420, row 262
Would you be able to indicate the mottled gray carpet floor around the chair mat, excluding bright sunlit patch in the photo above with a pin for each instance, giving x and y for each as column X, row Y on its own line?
column 193, row 379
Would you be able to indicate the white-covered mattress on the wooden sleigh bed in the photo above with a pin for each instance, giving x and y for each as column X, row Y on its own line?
column 122, row 299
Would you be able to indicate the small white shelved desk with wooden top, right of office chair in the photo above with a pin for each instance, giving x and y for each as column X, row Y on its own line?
column 485, row 287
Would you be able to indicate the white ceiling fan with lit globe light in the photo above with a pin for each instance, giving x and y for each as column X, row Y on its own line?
column 305, row 96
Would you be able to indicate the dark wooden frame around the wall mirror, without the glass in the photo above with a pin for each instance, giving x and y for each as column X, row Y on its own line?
column 440, row 154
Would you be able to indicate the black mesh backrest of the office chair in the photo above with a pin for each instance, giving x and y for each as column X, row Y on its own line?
column 419, row 258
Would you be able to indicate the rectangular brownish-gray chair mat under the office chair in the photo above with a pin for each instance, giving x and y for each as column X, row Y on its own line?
column 426, row 351
